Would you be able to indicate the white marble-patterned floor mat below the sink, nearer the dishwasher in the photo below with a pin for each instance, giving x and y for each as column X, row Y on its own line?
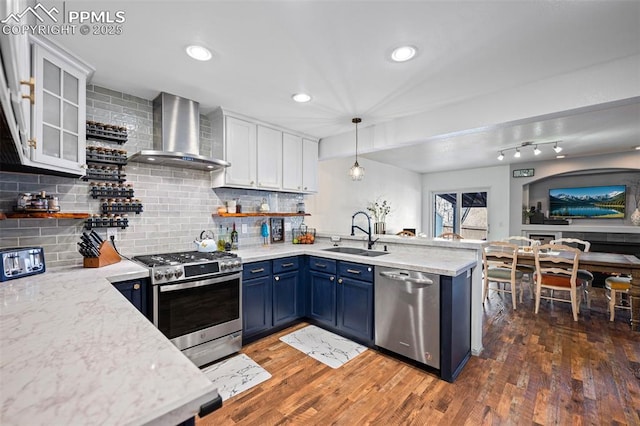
column 324, row 346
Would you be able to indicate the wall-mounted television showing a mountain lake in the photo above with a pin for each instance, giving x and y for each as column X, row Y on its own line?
column 589, row 202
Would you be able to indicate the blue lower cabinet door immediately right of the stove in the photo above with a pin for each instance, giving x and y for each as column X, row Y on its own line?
column 256, row 306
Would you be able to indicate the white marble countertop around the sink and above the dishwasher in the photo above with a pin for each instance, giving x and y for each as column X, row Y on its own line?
column 445, row 263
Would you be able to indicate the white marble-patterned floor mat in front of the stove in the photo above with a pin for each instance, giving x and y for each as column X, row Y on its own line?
column 235, row 375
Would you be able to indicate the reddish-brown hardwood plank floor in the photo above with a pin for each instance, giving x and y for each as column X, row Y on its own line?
column 543, row 369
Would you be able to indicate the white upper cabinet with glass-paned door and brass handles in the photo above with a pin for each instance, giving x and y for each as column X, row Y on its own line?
column 46, row 89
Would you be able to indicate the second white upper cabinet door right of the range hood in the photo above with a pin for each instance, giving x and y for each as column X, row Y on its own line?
column 269, row 158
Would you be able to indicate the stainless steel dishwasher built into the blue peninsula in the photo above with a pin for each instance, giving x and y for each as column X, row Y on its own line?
column 407, row 314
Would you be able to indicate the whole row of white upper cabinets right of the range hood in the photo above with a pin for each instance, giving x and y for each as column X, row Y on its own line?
column 262, row 156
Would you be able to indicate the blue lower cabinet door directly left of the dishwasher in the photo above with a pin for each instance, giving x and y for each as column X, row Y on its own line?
column 355, row 309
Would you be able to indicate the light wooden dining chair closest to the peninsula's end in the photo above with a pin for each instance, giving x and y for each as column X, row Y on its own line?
column 499, row 261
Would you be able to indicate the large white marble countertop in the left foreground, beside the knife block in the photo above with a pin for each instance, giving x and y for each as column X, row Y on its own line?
column 74, row 351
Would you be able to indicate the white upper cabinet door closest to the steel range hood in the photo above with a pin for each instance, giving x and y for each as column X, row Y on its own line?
column 240, row 151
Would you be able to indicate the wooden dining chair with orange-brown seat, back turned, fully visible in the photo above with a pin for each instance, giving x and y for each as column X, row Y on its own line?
column 557, row 271
